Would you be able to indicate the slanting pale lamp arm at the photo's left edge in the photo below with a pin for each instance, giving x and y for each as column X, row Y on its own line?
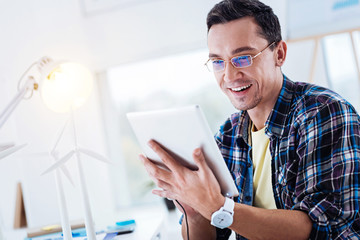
column 29, row 84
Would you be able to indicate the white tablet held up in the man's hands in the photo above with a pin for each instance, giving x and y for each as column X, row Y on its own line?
column 180, row 131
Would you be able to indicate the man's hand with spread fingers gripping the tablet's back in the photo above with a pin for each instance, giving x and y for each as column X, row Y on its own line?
column 197, row 189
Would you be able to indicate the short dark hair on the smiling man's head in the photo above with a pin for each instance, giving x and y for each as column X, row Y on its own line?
column 229, row 10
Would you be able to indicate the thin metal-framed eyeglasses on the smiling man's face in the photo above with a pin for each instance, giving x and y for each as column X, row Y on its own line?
column 243, row 61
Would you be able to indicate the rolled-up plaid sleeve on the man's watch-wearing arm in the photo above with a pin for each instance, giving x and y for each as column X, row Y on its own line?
column 328, row 176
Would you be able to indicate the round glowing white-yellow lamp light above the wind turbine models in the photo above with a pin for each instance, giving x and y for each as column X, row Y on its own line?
column 66, row 86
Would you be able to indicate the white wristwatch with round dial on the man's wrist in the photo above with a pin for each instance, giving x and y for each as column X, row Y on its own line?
column 223, row 217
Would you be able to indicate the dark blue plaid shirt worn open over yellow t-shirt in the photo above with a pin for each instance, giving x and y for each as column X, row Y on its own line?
column 315, row 147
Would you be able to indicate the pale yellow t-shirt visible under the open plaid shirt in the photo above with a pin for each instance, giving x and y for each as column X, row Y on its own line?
column 263, row 193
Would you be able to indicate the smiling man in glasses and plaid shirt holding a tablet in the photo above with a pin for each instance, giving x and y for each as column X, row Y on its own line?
column 293, row 149
